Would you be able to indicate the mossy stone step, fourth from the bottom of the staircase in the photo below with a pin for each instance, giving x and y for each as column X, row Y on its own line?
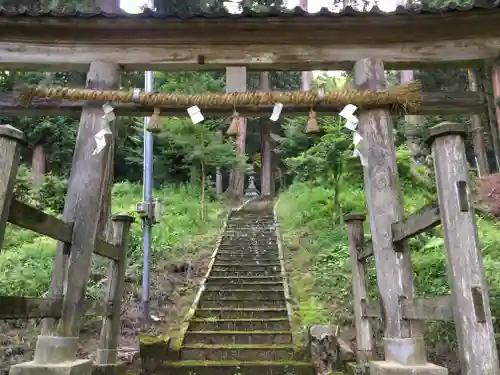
column 276, row 324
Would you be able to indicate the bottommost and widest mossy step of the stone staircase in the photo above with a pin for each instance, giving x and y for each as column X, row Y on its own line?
column 236, row 367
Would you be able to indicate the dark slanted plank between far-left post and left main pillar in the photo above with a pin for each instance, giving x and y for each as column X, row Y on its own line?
column 31, row 218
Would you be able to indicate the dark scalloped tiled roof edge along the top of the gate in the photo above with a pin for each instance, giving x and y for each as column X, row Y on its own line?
column 271, row 13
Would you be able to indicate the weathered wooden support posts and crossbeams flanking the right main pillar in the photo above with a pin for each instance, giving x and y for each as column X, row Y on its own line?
column 468, row 304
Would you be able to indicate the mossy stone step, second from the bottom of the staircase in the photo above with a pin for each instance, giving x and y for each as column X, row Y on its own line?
column 206, row 352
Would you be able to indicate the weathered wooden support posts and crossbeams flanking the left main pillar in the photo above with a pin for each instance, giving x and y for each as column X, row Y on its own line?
column 31, row 218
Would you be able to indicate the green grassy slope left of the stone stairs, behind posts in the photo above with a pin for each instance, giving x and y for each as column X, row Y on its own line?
column 26, row 257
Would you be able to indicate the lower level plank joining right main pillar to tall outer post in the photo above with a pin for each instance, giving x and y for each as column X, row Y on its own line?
column 435, row 308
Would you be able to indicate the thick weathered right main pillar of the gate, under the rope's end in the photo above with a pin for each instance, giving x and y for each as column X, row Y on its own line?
column 383, row 195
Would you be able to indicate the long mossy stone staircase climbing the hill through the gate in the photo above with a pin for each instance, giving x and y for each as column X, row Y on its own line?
column 241, row 323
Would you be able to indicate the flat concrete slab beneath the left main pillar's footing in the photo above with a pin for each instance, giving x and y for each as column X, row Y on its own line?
column 78, row 367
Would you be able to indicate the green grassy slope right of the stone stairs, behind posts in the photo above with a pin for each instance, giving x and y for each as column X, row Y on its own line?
column 318, row 260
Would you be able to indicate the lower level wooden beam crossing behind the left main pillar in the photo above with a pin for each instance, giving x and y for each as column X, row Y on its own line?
column 12, row 307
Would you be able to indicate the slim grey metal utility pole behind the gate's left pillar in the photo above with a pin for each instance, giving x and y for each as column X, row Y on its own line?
column 148, row 197
